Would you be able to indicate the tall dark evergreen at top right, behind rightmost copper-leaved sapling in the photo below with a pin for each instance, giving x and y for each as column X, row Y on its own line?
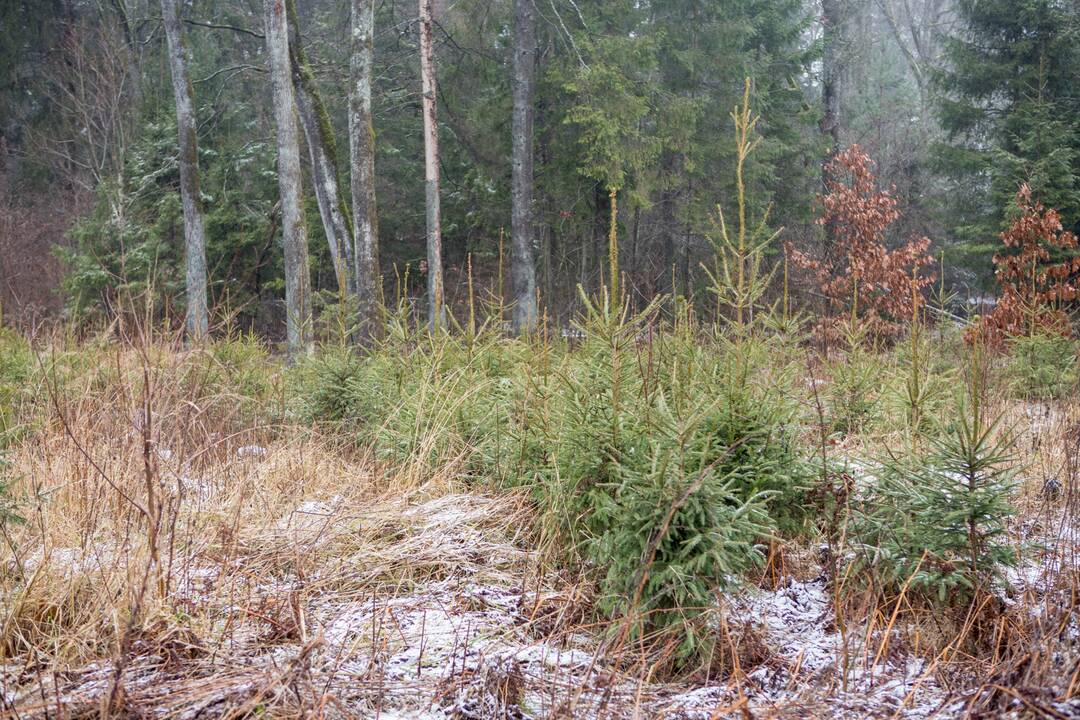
column 1012, row 116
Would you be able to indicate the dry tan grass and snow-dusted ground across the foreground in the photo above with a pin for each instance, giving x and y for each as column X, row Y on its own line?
column 301, row 580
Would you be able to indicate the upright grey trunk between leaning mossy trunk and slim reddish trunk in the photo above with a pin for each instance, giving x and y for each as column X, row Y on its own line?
column 366, row 230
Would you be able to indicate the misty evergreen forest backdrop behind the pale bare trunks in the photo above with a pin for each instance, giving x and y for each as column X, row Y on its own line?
column 957, row 103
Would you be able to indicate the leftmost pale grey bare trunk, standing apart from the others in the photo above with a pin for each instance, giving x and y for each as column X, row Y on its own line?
column 195, row 241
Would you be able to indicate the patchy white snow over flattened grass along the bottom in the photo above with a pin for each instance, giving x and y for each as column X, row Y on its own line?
column 466, row 645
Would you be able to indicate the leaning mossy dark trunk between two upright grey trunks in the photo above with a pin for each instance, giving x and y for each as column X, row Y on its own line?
column 319, row 134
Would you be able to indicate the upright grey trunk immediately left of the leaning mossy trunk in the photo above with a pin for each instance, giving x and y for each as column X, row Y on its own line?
column 294, row 232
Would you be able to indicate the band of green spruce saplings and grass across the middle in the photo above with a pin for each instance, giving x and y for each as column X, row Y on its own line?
column 667, row 463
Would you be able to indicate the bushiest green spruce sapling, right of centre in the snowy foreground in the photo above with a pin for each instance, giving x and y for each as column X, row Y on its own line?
column 684, row 532
